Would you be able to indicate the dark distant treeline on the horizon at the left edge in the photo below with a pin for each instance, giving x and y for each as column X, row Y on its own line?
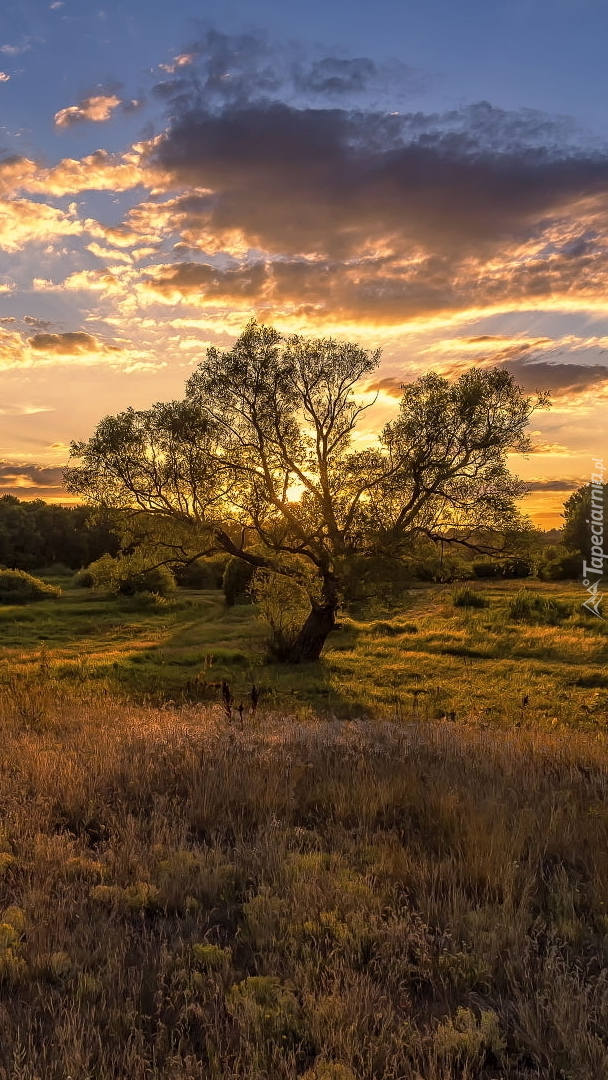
column 36, row 535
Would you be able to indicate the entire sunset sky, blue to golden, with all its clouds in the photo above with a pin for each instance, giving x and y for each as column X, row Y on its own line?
column 422, row 177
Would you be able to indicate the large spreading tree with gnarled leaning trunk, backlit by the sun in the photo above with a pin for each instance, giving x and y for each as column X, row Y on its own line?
column 261, row 450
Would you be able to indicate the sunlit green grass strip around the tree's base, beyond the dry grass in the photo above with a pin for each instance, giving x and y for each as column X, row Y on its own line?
column 427, row 660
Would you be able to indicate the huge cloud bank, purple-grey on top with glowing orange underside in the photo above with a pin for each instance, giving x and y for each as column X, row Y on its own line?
column 379, row 217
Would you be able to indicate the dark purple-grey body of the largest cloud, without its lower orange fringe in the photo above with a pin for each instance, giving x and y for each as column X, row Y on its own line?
column 332, row 181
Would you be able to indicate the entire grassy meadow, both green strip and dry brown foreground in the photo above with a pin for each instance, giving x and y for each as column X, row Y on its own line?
column 396, row 868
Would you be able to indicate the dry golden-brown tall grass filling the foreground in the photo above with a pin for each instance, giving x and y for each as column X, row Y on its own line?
column 180, row 899
